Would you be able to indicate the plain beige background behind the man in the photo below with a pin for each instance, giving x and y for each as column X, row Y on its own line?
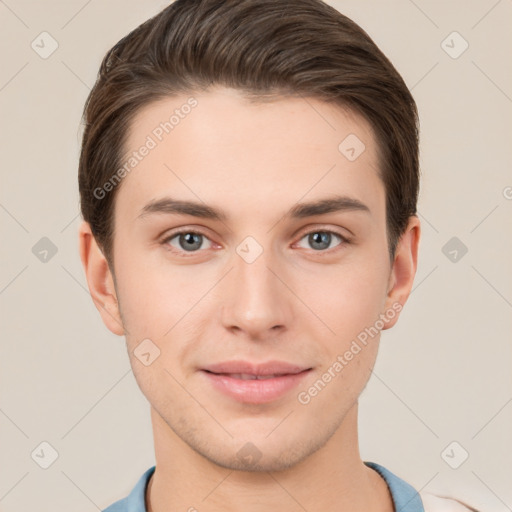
column 443, row 373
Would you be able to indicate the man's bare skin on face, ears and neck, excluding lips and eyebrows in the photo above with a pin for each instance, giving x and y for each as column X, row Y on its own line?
column 295, row 302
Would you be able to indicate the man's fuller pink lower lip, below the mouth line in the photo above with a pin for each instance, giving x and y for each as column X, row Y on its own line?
column 255, row 391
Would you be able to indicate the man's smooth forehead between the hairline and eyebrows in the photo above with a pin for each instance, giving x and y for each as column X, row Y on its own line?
column 217, row 147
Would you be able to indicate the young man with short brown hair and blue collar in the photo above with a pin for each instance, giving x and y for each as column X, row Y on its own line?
column 248, row 179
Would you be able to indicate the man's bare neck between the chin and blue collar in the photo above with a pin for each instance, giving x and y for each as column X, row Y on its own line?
column 334, row 478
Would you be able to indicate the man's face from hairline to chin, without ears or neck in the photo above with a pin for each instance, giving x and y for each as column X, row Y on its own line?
column 262, row 270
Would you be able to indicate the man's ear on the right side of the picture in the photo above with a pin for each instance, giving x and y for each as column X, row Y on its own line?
column 402, row 272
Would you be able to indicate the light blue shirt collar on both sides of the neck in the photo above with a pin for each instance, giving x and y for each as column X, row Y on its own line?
column 405, row 498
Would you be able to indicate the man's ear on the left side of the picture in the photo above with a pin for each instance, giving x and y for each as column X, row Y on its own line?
column 99, row 280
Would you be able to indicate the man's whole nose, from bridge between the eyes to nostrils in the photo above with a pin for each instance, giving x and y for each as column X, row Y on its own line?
column 256, row 301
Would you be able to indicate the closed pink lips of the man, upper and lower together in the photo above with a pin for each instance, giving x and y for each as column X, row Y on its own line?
column 224, row 377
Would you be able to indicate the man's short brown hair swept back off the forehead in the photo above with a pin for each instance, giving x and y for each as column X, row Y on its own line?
column 266, row 49
